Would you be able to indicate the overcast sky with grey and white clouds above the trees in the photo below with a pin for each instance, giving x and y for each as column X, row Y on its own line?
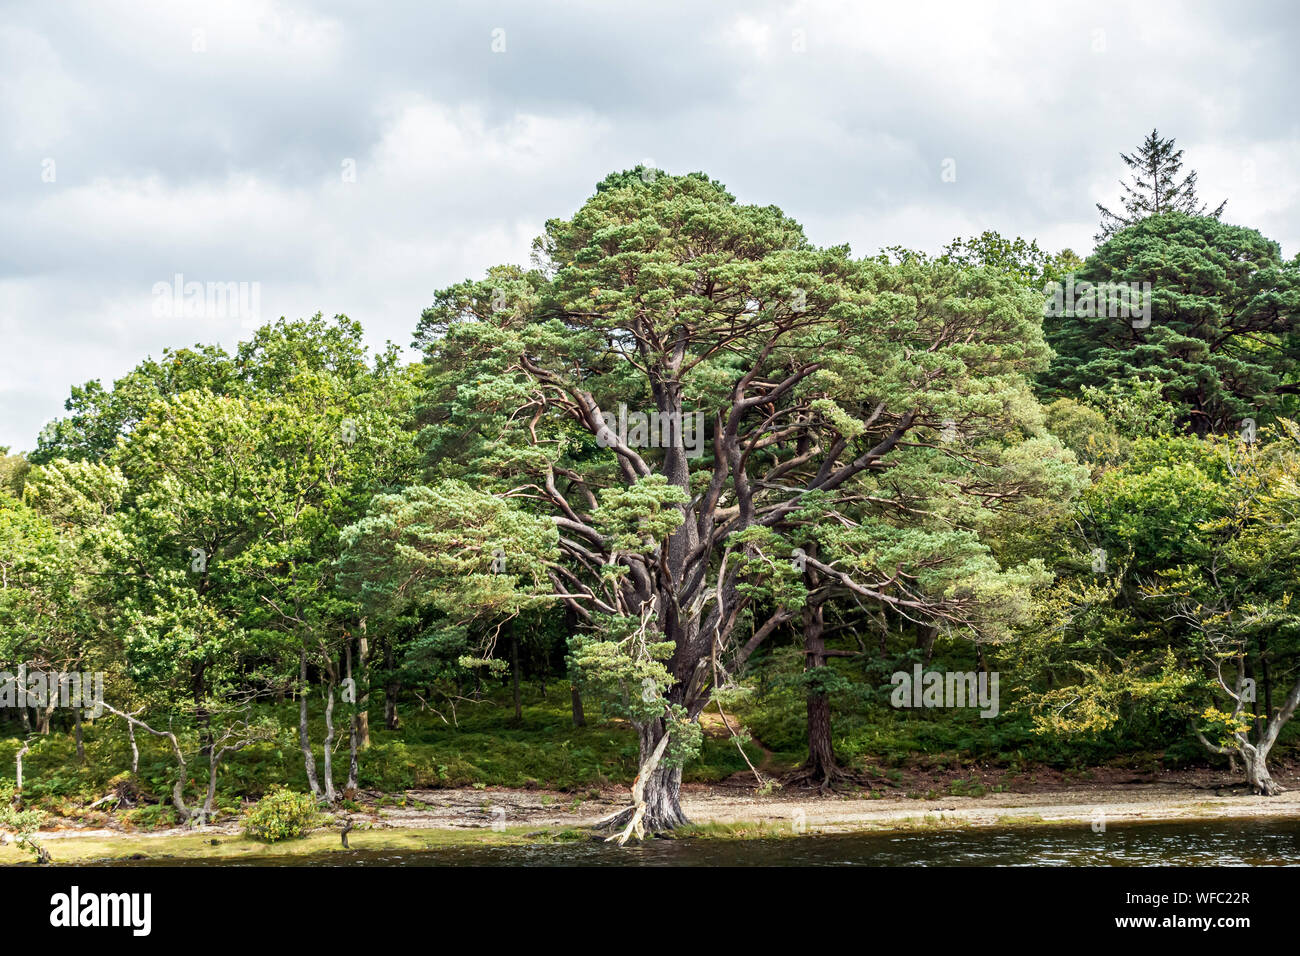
column 357, row 157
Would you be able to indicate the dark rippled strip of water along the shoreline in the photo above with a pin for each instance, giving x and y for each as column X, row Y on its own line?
column 1224, row 843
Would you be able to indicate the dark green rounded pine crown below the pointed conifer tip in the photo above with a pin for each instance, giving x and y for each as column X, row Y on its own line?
column 1221, row 339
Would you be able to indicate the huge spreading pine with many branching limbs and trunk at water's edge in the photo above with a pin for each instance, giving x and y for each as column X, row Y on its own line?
column 816, row 378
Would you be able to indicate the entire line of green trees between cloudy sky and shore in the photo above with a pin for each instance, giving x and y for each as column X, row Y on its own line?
column 899, row 453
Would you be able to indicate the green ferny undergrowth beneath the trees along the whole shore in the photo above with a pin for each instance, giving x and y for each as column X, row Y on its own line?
column 920, row 754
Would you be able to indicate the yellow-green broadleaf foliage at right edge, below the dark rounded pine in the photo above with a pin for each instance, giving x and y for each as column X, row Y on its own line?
column 1203, row 561
